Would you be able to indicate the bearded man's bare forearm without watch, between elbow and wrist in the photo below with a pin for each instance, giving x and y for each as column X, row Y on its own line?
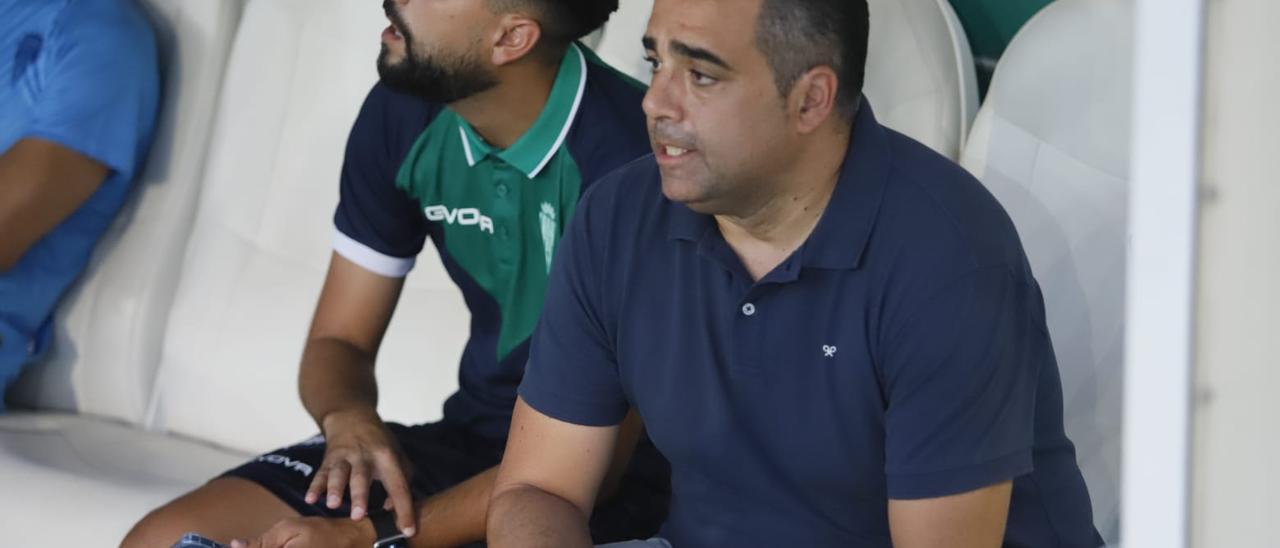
column 335, row 377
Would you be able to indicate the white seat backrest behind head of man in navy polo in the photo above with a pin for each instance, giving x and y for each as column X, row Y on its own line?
column 920, row 71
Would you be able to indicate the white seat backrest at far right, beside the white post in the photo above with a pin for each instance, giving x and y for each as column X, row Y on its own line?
column 1053, row 144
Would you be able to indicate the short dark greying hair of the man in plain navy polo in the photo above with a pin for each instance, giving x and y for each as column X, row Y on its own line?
column 799, row 35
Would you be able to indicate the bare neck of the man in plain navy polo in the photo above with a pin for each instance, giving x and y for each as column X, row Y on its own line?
column 767, row 235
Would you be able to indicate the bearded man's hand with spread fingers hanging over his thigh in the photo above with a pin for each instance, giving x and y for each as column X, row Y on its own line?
column 360, row 449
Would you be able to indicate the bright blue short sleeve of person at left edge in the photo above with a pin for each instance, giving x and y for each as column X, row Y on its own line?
column 102, row 88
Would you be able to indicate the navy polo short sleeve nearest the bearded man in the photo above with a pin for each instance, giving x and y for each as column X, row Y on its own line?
column 573, row 372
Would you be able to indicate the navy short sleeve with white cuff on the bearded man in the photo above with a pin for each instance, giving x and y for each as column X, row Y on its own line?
column 380, row 227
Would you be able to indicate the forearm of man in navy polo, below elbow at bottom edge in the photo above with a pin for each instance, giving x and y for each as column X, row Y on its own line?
column 531, row 518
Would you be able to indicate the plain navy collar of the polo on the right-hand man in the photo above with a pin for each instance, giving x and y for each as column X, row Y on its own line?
column 840, row 239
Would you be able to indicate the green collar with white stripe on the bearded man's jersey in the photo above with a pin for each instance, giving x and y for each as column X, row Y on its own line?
column 536, row 149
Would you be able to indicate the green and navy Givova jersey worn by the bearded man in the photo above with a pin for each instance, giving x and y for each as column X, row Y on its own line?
column 417, row 171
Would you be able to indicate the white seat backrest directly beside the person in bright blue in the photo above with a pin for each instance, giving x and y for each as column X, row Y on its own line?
column 109, row 328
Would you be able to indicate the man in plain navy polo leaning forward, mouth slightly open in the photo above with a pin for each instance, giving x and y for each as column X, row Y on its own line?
column 831, row 332
